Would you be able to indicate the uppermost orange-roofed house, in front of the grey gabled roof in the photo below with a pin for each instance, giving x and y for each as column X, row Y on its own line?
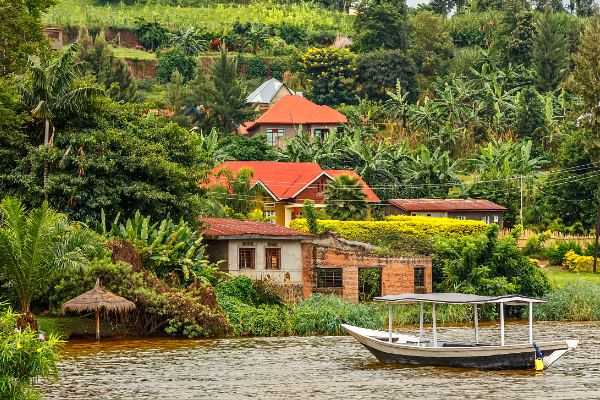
column 283, row 120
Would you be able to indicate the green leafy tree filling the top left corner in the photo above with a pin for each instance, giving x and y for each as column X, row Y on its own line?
column 21, row 33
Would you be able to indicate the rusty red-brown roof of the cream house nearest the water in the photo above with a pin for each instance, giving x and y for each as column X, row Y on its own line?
column 233, row 227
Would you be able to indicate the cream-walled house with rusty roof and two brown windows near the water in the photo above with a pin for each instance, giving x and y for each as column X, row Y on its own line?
column 260, row 250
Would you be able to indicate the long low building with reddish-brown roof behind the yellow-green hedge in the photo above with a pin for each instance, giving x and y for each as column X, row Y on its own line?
column 471, row 209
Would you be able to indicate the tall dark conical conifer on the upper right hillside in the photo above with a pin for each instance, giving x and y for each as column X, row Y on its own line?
column 550, row 53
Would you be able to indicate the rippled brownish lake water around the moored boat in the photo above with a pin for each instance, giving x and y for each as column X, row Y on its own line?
column 316, row 367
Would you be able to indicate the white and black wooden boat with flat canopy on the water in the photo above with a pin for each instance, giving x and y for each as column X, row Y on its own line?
column 390, row 347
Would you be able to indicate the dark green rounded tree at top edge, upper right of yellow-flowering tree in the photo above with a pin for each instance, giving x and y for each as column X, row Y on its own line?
column 381, row 24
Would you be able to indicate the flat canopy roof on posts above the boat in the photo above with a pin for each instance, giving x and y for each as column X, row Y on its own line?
column 459, row 298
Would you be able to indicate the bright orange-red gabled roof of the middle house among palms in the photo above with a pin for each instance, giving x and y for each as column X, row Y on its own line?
column 285, row 180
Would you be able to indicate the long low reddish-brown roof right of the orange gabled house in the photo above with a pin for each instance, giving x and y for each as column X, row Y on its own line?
column 446, row 205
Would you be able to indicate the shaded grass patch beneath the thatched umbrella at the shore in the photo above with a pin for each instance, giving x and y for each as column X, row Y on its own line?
column 64, row 327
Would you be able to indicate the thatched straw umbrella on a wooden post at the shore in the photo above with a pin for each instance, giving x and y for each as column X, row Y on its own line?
column 94, row 300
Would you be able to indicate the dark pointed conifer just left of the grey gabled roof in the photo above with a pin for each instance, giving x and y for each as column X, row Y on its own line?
column 223, row 98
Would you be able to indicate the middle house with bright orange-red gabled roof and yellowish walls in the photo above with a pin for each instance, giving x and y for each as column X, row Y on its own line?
column 288, row 184
